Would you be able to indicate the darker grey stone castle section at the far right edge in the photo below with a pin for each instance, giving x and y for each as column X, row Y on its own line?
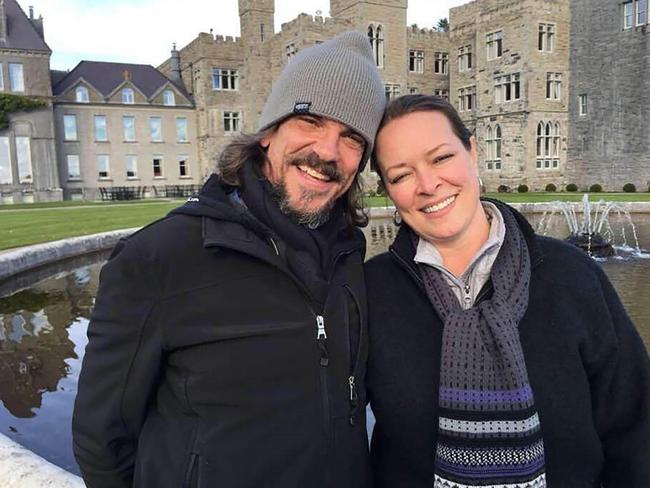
column 609, row 141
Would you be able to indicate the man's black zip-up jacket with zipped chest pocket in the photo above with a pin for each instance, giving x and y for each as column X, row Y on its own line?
column 206, row 366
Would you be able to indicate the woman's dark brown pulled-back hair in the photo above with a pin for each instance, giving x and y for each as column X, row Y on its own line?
column 409, row 104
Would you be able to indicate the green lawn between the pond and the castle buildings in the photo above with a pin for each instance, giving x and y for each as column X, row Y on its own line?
column 22, row 225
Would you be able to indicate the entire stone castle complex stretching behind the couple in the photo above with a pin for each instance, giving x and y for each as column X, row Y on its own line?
column 553, row 89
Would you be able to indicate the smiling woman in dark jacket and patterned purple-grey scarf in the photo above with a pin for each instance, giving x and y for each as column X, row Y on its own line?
column 497, row 357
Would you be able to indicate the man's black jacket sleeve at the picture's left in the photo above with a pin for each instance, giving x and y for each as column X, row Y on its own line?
column 119, row 372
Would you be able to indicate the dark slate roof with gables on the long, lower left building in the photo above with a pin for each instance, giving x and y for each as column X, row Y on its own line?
column 107, row 77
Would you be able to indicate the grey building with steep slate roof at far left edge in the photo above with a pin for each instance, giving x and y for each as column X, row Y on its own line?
column 28, row 167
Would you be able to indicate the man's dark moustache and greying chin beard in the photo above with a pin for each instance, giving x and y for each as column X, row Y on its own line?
column 311, row 219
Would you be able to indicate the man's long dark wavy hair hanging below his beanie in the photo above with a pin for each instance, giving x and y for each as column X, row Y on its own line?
column 248, row 147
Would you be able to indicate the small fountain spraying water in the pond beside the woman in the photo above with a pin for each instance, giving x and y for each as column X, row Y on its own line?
column 593, row 232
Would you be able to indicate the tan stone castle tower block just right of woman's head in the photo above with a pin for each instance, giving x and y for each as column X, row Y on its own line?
column 508, row 74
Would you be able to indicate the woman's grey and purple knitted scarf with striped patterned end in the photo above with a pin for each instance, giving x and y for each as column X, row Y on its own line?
column 489, row 432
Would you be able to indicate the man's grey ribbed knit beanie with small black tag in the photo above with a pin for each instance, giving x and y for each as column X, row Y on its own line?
column 336, row 79
